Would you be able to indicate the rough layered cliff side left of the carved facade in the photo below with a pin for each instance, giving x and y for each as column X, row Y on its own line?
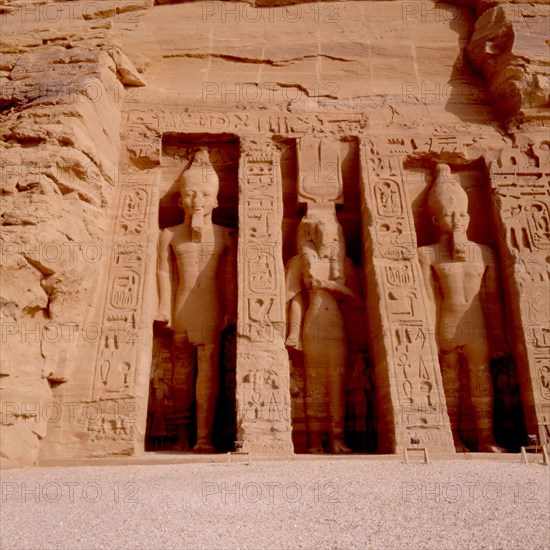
column 61, row 93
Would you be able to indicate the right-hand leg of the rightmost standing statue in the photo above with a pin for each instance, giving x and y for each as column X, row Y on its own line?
column 481, row 390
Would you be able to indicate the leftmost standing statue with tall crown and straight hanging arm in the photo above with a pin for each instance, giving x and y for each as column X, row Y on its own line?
column 192, row 301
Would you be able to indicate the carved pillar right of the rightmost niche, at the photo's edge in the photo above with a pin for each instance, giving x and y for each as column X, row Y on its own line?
column 522, row 189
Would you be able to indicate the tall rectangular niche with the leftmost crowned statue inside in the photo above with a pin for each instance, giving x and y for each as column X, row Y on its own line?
column 192, row 388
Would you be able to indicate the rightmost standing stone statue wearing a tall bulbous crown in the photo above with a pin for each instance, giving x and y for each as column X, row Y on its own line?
column 463, row 289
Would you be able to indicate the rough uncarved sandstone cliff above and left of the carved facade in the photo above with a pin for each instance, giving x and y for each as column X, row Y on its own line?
column 72, row 73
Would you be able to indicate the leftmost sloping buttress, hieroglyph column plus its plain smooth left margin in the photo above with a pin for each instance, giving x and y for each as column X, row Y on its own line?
column 105, row 400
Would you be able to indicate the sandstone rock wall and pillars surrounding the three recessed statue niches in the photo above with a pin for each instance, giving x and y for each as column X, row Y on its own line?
column 89, row 90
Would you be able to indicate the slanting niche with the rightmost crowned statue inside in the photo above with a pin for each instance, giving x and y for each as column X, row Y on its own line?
column 455, row 223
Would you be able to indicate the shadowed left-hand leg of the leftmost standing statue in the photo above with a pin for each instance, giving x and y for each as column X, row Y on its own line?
column 183, row 382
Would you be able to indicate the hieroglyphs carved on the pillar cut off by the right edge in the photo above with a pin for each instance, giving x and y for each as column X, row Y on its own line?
column 522, row 185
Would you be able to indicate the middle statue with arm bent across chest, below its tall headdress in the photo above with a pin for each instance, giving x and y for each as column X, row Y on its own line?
column 317, row 278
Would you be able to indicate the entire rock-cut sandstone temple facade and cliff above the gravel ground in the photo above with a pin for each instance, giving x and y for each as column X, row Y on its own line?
column 301, row 227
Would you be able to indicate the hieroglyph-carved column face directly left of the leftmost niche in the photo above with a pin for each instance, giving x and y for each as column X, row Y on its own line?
column 121, row 378
